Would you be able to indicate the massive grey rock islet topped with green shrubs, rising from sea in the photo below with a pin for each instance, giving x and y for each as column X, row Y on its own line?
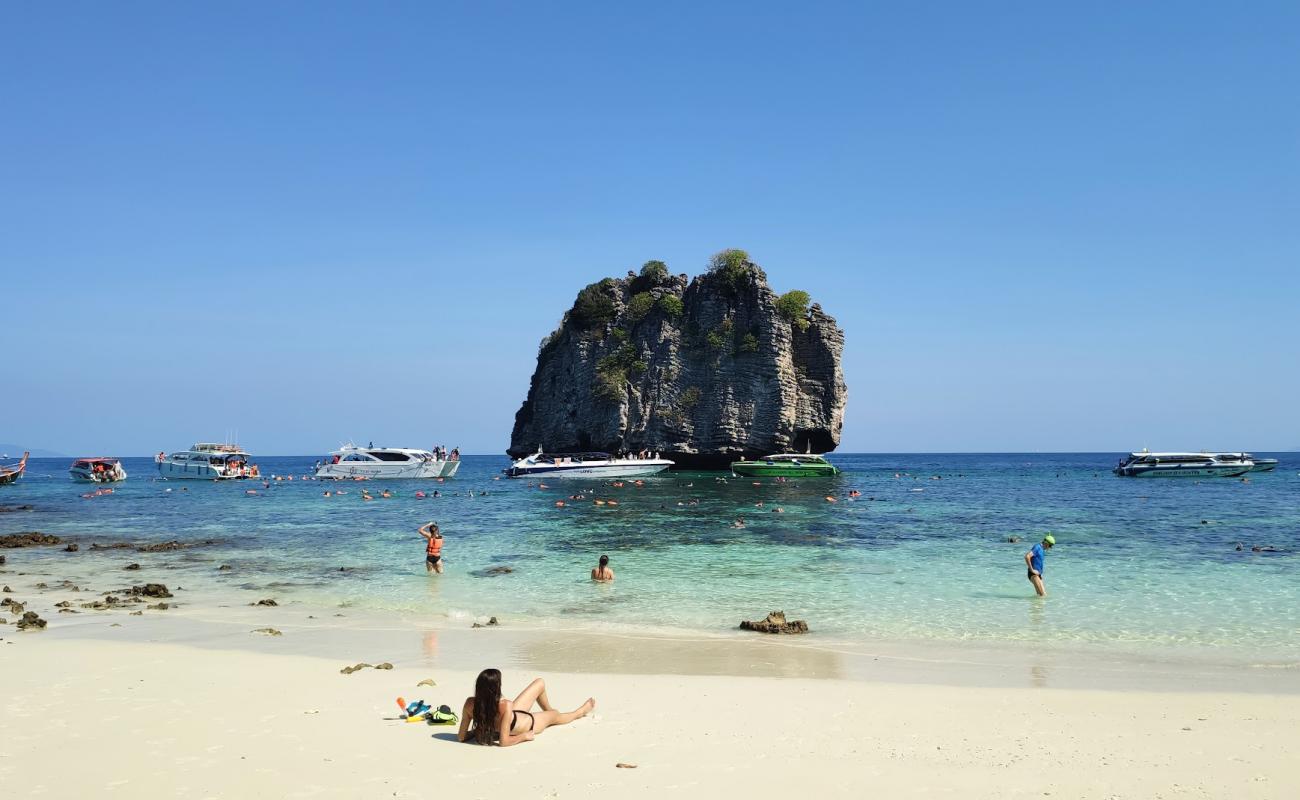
column 703, row 371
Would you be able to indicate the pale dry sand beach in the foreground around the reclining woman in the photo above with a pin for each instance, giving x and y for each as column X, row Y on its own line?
column 148, row 716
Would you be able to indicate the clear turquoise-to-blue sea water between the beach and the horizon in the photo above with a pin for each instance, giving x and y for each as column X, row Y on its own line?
column 924, row 555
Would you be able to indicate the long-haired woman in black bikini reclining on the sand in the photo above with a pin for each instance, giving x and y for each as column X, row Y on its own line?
column 499, row 721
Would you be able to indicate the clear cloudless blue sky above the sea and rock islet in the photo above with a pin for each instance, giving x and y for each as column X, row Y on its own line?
column 1043, row 227
